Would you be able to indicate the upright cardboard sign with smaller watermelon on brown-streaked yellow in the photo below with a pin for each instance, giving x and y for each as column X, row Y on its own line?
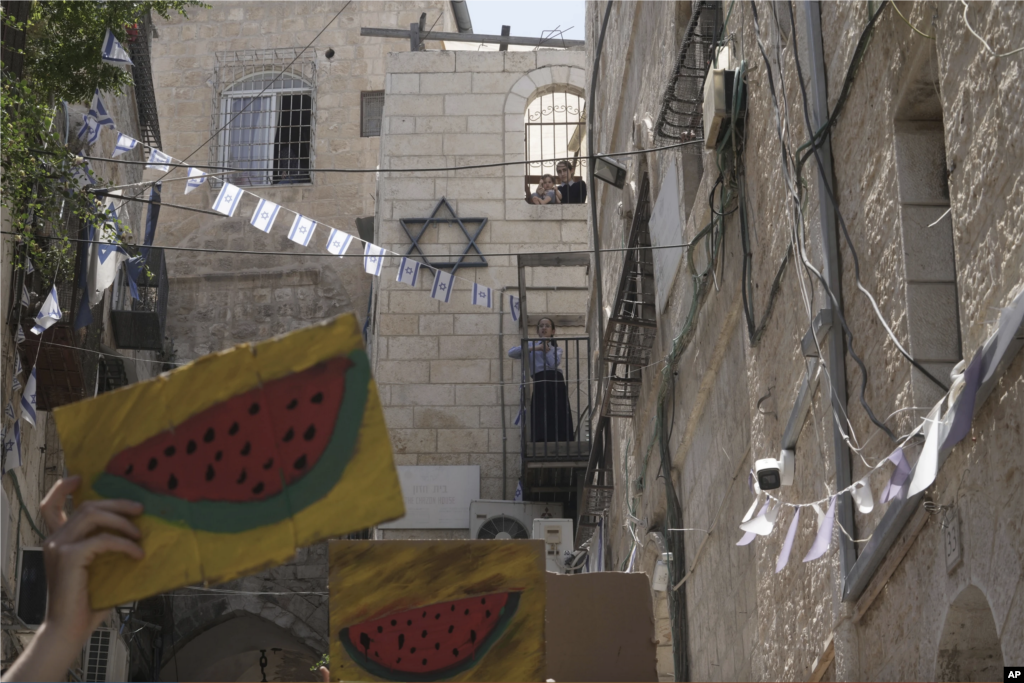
column 438, row 611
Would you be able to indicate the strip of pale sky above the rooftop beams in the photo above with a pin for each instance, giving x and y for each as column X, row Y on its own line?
column 529, row 18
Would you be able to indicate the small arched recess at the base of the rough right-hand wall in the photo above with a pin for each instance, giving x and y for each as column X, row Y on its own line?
column 969, row 649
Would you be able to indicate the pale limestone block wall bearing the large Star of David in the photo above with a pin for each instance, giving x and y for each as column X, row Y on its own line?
column 441, row 367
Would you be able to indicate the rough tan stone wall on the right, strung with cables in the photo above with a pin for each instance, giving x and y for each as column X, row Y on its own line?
column 730, row 402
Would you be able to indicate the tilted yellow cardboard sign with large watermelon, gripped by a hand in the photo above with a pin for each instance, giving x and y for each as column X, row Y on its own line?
column 239, row 458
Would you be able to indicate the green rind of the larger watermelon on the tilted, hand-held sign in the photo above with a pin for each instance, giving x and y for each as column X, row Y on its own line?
column 232, row 518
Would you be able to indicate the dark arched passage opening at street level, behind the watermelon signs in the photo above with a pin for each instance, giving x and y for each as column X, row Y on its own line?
column 231, row 652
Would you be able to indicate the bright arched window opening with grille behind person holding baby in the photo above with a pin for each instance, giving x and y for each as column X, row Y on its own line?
column 557, row 130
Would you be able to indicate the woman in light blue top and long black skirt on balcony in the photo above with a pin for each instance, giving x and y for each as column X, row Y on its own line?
column 551, row 419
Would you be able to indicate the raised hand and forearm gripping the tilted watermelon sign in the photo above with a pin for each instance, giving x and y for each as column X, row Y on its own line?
column 96, row 528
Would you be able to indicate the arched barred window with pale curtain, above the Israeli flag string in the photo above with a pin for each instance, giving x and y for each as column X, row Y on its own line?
column 267, row 121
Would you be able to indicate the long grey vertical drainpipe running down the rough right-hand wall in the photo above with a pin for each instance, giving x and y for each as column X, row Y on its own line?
column 834, row 276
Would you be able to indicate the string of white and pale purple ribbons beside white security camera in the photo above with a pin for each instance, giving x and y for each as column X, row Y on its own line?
column 947, row 425
